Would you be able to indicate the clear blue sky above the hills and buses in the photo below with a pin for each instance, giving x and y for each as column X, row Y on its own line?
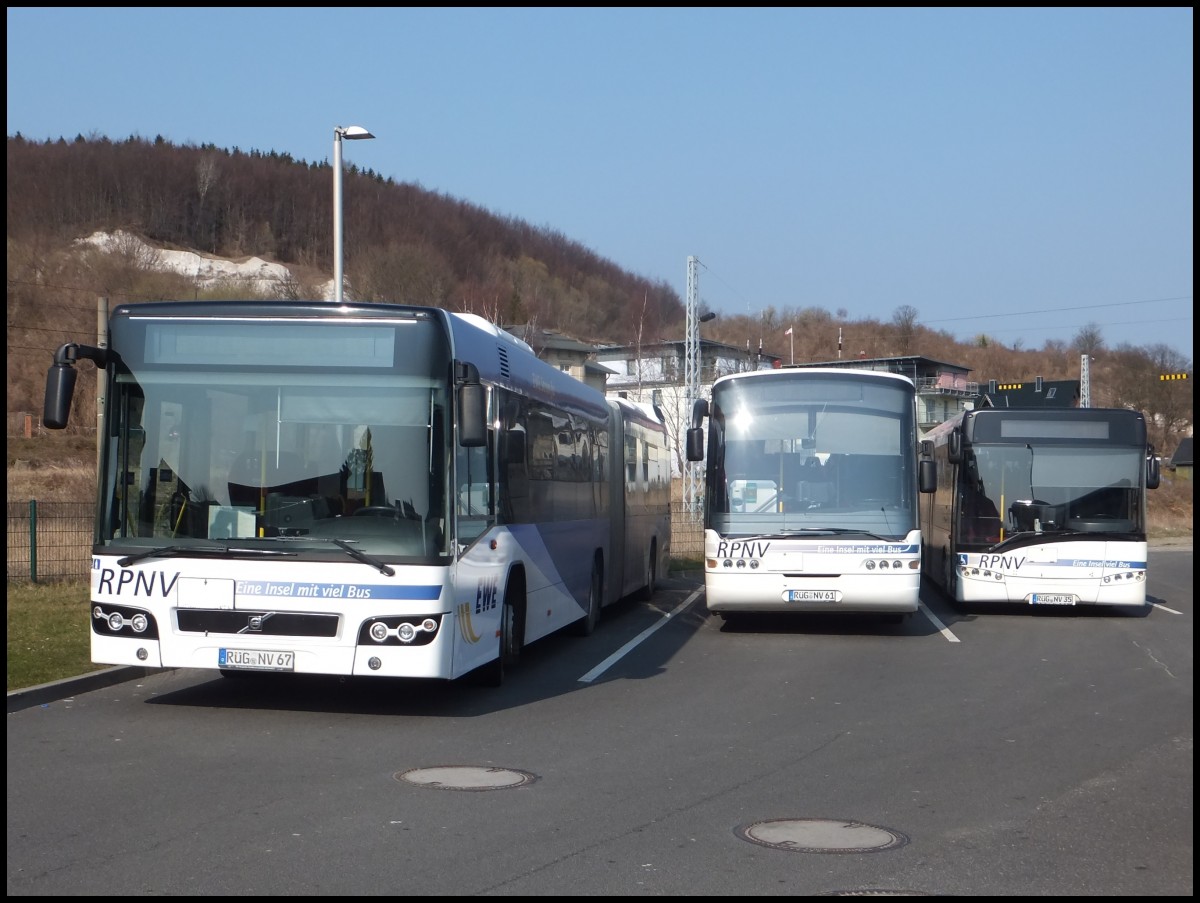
column 1021, row 174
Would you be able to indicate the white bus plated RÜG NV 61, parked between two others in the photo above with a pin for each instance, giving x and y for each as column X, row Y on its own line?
column 812, row 479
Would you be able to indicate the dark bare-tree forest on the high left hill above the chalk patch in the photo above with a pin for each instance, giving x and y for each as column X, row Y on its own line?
column 407, row 246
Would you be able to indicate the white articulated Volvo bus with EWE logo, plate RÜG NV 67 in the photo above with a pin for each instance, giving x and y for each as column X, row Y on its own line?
column 353, row 489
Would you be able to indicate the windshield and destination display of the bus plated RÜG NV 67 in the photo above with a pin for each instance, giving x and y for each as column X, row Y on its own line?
column 317, row 436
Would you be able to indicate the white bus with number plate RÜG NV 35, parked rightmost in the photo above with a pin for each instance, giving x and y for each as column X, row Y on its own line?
column 1041, row 507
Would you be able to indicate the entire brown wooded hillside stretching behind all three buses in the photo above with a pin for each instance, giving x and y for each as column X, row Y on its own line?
column 415, row 247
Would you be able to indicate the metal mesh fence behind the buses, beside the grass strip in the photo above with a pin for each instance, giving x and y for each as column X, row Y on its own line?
column 52, row 541
